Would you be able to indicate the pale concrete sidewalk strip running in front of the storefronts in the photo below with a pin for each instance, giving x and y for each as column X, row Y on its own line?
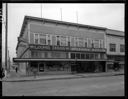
column 57, row 77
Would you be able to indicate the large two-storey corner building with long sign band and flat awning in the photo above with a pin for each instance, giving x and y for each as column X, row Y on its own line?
column 50, row 46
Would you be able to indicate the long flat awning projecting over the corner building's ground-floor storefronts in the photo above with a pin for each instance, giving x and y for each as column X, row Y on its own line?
column 36, row 59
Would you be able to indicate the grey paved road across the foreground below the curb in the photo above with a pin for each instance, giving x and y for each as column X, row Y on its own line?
column 97, row 86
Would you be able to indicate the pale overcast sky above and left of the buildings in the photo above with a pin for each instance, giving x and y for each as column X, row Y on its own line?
column 109, row 15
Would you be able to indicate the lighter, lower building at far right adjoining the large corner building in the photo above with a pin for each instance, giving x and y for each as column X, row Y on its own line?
column 115, row 45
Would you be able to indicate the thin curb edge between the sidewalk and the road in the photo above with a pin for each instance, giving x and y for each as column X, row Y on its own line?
column 61, row 78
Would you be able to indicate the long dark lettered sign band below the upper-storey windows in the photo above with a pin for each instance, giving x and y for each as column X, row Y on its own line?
column 65, row 48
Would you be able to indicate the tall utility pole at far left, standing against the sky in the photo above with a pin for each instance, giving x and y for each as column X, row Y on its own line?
column 6, row 38
